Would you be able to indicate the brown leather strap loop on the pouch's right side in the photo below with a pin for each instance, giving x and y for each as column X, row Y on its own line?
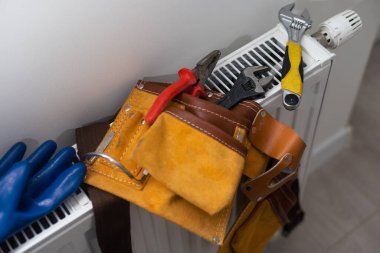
column 277, row 141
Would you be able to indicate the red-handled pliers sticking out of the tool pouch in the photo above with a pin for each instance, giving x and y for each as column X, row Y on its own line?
column 188, row 78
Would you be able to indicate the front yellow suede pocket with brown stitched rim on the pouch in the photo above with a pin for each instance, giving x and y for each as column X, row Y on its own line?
column 193, row 158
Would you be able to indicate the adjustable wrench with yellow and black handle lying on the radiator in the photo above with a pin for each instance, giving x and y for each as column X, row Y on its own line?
column 292, row 69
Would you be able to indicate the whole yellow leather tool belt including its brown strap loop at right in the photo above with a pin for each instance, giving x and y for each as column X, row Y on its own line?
column 188, row 165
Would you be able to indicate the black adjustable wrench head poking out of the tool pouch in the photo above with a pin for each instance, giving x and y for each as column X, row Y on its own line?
column 247, row 86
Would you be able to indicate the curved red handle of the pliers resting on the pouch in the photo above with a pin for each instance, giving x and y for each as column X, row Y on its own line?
column 186, row 79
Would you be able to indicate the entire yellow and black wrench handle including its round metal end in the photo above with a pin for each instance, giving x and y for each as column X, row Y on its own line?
column 292, row 75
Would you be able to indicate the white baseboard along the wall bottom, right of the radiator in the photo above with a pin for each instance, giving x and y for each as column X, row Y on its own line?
column 327, row 149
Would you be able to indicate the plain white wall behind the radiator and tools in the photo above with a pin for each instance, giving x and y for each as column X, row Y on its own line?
column 68, row 63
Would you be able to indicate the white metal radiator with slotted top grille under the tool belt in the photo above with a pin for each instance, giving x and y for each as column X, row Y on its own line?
column 74, row 231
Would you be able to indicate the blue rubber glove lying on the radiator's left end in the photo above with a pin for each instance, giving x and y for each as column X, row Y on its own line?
column 32, row 188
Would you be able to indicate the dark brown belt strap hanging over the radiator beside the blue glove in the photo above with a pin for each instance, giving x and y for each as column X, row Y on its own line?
column 111, row 213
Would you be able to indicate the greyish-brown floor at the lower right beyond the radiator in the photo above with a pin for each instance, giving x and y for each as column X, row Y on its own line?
column 342, row 199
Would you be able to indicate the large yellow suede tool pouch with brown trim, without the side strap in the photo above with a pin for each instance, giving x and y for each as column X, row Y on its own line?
column 186, row 167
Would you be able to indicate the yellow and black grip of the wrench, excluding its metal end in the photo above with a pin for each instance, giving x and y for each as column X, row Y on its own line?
column 292, row 70
